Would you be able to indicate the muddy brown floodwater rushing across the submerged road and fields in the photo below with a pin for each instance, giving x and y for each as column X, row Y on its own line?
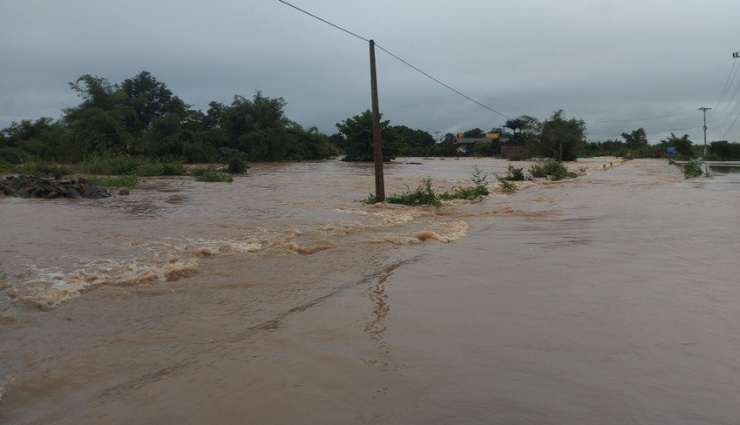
column 279, row 299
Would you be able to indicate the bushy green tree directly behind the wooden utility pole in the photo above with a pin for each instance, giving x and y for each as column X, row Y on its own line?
column 357, row 133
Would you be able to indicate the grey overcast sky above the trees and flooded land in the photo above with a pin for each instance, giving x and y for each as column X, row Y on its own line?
column 618, row 65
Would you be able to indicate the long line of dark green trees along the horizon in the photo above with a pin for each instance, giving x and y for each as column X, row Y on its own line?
column 141, row 117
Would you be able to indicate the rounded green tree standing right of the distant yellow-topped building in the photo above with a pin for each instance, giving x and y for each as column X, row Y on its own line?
column 562, row 138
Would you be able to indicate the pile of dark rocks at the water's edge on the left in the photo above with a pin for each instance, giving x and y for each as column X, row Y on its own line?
column 47, row 186
